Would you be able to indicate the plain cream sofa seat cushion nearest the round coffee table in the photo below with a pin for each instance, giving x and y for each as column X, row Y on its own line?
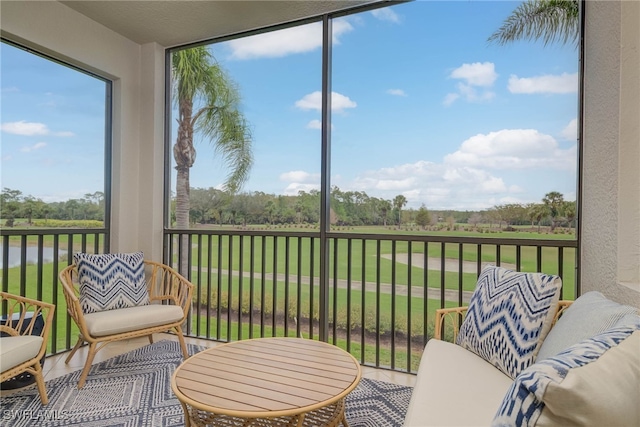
column 455, row 387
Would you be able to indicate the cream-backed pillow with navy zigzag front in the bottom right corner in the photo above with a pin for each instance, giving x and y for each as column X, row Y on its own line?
column 595, row 382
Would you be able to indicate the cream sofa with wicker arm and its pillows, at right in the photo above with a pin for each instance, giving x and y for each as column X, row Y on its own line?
column 583, row 369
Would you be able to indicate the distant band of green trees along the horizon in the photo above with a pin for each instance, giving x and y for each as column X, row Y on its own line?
column 348, row 208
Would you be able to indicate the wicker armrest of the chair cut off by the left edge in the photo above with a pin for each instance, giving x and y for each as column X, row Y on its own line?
column 21, row 314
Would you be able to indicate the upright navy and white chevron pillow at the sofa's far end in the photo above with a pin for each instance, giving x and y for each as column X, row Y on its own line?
column 510, row 313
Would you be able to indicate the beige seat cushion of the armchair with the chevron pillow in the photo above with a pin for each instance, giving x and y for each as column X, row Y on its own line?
column 130, row 319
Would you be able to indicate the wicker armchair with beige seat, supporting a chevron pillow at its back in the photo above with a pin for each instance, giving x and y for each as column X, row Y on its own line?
column 170, row 300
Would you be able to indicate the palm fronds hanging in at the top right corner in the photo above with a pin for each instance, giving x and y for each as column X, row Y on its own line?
column 549, row 20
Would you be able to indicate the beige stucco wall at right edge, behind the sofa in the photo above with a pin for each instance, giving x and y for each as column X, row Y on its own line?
column 610, row 254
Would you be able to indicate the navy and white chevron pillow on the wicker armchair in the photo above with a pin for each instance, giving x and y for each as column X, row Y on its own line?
column 111, row 281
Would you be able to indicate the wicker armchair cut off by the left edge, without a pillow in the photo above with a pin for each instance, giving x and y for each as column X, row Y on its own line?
column 23, row 345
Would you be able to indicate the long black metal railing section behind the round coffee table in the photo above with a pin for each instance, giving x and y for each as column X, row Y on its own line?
column 383, row 289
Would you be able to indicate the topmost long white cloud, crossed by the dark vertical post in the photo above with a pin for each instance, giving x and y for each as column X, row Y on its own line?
column 289, row 41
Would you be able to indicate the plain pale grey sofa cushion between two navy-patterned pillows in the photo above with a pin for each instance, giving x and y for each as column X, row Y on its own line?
column 589, row 315
